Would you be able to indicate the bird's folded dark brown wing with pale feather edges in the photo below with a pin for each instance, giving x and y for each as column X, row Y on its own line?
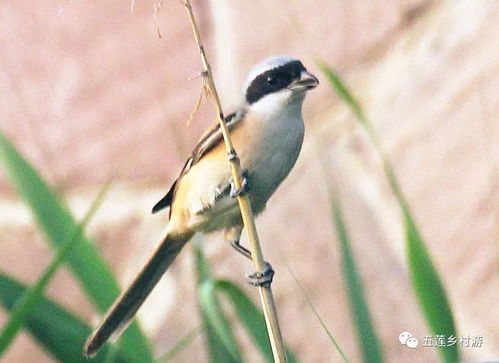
column 210, row 139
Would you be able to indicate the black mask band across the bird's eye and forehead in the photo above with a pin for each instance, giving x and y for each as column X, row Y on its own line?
column 273, row 80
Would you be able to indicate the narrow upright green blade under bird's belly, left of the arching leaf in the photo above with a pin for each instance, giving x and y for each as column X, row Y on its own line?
column 218, row 352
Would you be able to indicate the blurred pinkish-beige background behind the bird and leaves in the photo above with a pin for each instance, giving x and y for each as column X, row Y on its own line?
column 99, row 90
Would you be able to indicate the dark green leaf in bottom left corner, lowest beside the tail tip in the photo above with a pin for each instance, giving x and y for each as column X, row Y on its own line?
column 58, row 331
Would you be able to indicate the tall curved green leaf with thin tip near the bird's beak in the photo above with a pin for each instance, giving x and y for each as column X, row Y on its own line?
column 425, row 279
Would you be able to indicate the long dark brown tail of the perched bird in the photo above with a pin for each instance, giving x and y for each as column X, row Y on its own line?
column 124, row 308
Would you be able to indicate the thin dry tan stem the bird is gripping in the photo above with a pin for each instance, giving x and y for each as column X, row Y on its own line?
column 266, row 297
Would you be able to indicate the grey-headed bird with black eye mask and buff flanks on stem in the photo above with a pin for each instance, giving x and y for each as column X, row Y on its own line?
column 267, row 130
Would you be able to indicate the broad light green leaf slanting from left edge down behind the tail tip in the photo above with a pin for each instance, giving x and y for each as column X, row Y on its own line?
column 84, row 260
